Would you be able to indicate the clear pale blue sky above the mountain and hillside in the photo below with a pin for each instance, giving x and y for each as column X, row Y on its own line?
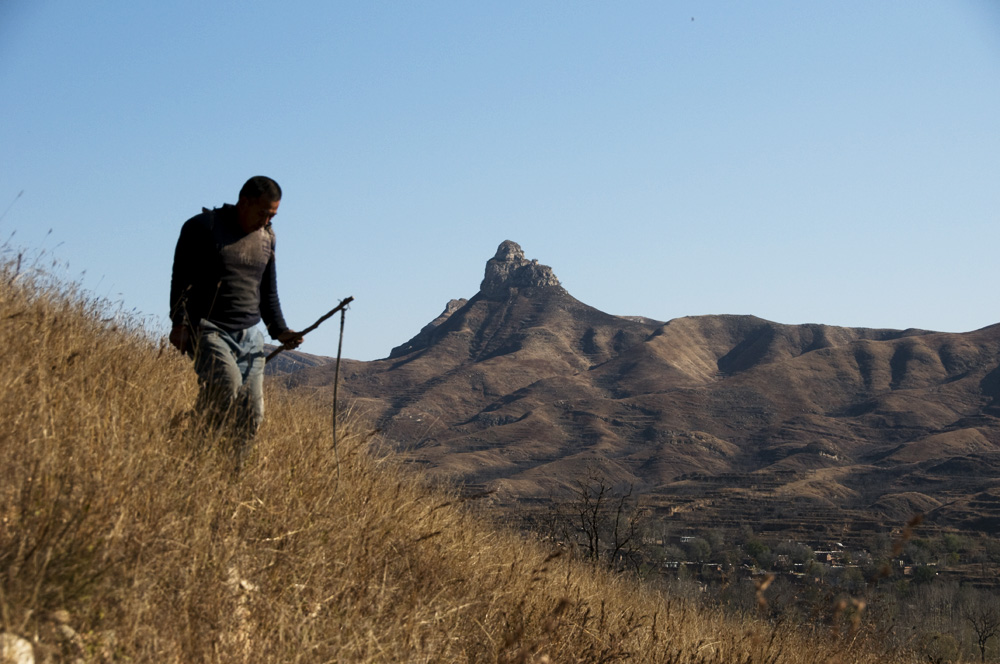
column 801, row 161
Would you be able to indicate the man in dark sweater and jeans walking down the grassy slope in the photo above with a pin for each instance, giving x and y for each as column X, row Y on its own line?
column 223, row 284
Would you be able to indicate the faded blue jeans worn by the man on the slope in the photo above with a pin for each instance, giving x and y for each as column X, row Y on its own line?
column 230, row 367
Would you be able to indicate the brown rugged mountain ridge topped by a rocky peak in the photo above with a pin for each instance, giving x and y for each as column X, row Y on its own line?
column 524, row 390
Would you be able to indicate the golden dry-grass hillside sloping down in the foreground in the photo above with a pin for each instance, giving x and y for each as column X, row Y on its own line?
column 125, row 536
